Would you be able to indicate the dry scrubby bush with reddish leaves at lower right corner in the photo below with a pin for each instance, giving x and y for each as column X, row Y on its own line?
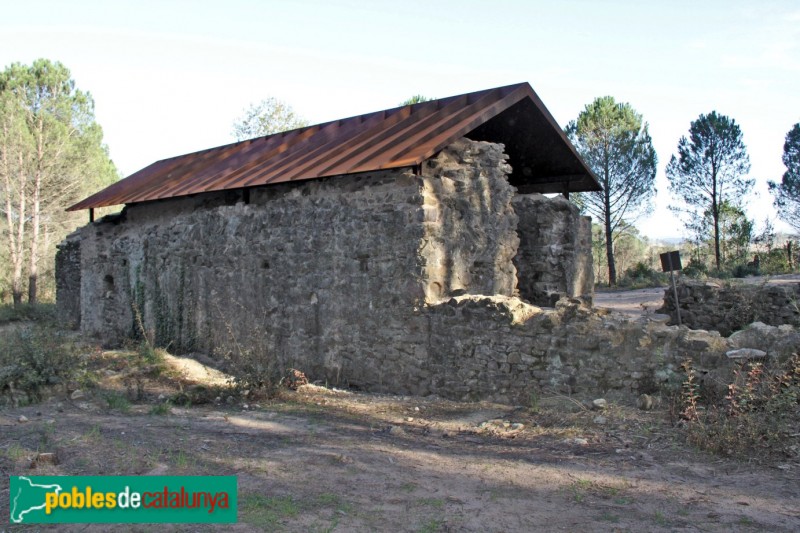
column 759, row 415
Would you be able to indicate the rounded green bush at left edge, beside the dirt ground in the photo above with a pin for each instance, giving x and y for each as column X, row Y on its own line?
column 32, row 358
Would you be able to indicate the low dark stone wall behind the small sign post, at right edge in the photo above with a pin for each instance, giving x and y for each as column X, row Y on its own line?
column 727, row 307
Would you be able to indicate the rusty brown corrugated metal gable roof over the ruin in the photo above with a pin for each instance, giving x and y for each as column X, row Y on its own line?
column 541, row 157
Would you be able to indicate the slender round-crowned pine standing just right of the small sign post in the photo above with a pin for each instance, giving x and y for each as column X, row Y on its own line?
column 709, row 171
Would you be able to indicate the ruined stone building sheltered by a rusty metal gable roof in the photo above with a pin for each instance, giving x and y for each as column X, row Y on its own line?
column 345, row 249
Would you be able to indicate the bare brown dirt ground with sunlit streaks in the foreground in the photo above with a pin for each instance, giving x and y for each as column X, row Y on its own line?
column 320, row 459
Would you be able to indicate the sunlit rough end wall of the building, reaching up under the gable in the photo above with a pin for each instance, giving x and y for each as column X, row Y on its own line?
column 470, row 224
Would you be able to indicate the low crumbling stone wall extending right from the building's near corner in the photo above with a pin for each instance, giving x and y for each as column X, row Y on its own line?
column 505, row 350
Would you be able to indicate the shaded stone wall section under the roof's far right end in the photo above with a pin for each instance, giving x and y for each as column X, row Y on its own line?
column 555, row 250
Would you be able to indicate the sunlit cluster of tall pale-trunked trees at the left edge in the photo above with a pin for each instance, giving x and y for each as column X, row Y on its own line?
column 51, row 153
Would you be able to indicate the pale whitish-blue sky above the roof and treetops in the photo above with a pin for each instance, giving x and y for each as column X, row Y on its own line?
column 169, row 77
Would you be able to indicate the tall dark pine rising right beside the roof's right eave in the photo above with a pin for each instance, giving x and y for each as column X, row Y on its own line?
column 614, row 141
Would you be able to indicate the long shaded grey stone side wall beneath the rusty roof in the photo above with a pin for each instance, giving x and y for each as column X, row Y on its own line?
column 317, row 275
